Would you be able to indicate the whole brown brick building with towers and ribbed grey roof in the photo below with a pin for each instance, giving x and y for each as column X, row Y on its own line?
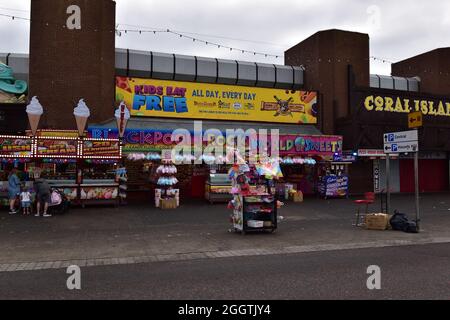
column 67, row 65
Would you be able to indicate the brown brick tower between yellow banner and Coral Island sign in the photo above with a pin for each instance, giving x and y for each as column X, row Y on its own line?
column 326, row 56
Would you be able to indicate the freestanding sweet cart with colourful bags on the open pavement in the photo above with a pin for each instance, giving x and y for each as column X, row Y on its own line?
column 254, row 205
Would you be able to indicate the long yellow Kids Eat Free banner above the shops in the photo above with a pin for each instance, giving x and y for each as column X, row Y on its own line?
column 172, row 99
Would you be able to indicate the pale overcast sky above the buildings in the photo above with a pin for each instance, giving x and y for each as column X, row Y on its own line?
column 397, row 29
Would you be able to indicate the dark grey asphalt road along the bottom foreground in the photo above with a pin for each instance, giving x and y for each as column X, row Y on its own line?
column 409, row 272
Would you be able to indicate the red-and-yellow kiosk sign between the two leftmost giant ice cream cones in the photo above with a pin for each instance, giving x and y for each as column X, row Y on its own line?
column 57, row 148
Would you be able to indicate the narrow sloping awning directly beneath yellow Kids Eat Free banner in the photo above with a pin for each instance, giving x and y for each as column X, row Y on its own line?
column 172, row 124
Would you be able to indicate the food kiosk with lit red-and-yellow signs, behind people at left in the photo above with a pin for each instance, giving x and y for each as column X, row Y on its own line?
column 87, row 171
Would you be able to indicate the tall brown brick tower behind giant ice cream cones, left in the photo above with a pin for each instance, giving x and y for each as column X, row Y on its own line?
column 68, row 64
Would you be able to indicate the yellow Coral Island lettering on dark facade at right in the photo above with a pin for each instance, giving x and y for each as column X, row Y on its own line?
column 430, row 107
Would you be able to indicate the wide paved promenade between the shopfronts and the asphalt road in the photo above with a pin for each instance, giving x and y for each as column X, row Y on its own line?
column 140, row 234
